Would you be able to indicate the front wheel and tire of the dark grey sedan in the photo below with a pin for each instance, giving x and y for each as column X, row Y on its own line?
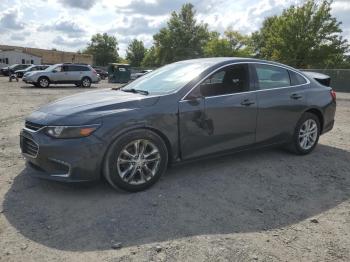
column 135, row 170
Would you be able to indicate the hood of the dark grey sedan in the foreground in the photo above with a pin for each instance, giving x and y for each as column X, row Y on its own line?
column 97, row 102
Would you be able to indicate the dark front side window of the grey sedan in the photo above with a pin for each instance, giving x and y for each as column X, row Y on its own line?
column 229, row 80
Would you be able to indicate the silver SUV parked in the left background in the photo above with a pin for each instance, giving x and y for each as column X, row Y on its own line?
column 78, row 74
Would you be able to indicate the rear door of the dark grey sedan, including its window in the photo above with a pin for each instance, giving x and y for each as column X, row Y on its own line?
column 281, row 101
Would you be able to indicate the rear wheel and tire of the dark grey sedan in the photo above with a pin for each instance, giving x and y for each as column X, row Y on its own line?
column 306, row 134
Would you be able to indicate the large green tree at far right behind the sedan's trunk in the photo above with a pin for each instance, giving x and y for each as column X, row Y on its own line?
column 305, row 36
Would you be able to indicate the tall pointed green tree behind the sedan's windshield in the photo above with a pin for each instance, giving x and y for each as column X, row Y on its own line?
column 183, row 38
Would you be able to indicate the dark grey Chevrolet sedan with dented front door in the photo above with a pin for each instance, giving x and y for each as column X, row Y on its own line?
column 182, row 111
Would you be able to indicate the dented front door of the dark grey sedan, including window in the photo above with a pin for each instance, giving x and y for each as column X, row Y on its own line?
column 219, row 114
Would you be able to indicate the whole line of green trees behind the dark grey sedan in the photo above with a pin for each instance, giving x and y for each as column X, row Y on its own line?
column 305, row 36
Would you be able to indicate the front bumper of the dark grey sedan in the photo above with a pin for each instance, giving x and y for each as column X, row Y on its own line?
column 66, row 160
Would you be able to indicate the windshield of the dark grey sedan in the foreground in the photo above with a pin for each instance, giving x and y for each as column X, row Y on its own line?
column 168, row 78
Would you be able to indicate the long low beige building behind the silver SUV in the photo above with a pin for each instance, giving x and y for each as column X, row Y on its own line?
column 51, row 56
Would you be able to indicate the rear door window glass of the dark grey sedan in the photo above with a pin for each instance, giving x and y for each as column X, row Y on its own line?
column 271, row 76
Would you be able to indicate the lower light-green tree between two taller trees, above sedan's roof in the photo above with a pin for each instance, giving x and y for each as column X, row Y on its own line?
column 232, row 43
